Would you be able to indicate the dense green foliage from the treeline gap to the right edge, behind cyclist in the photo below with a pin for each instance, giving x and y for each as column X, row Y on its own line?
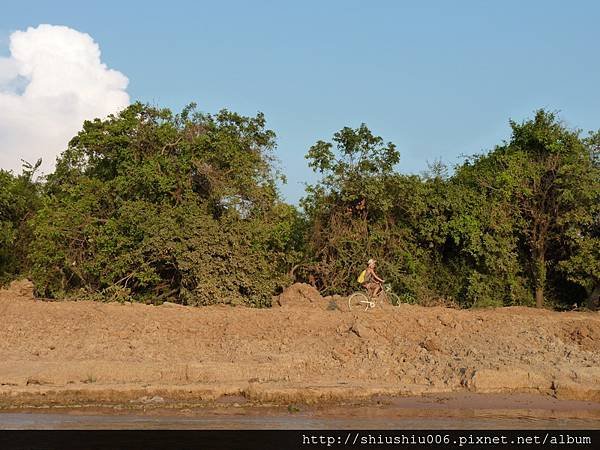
column 517, row 226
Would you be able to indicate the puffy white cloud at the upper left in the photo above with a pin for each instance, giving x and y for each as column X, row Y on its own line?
column 52, row 81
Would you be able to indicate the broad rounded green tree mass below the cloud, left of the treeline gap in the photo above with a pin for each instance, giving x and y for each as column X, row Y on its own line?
column 152, row 206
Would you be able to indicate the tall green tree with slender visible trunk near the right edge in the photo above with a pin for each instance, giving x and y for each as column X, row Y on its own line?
column 546, row 181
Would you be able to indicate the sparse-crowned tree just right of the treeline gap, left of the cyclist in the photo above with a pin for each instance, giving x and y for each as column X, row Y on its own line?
column 348, row 209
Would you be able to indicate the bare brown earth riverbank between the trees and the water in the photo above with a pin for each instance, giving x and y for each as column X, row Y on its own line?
column 305, row 350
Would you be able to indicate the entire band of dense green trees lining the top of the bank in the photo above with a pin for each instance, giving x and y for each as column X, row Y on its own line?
column 151, row 206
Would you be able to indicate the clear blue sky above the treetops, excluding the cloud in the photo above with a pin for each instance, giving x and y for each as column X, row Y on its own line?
column 438, row 78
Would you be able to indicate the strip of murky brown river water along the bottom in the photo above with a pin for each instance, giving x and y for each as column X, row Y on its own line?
column 450, row 411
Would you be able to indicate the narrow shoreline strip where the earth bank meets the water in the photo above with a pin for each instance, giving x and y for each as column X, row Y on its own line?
column 257, row 395
